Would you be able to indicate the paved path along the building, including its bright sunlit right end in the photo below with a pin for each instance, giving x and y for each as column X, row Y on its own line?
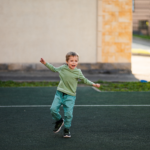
column 140, row 71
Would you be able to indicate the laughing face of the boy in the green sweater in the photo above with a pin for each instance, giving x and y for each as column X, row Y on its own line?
column 72, row 62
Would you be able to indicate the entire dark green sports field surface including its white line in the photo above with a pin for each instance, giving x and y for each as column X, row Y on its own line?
column 102, row 120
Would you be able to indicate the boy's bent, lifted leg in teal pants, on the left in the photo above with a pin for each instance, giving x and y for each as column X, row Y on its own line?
column 56, row 106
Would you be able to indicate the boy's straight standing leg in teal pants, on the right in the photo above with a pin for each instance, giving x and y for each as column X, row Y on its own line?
column 68, row 104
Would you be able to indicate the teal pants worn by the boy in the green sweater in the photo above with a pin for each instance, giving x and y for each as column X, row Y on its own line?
column 68, row 102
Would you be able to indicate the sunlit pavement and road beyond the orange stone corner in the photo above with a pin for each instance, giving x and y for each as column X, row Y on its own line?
column 141, row 65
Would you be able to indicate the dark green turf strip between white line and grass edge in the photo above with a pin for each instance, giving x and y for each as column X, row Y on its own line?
column 85, row 96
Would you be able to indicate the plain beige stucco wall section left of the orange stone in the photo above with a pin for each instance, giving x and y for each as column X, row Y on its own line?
column 30, row 29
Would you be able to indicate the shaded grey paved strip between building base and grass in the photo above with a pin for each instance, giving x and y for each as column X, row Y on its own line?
column 49, row 76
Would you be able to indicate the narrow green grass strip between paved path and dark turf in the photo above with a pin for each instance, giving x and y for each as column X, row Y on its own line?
column 105, row 86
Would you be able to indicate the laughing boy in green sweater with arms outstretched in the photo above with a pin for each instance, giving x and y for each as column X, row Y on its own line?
column 66, row 91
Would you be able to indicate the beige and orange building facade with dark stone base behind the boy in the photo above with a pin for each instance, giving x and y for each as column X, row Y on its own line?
column 99, row 30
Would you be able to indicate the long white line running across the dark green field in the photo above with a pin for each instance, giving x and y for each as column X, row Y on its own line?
column 8, row 106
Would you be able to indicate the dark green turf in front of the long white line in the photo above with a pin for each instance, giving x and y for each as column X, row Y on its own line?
column 100, row 128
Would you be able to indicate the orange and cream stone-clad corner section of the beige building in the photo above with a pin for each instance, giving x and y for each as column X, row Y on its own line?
column 115, row 33
